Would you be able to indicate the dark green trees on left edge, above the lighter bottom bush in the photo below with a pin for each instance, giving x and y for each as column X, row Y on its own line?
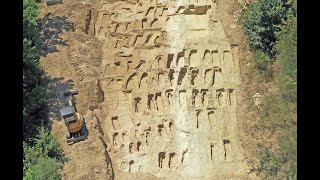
column 35, row 94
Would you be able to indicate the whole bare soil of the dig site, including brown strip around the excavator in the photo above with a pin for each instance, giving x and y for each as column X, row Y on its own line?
column 158, row 84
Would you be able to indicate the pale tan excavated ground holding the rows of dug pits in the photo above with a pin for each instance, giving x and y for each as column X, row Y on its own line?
column 168, row 85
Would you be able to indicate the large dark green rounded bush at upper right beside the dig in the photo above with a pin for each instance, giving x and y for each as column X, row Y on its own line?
column 261, row 23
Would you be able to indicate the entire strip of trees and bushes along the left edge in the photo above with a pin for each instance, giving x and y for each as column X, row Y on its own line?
column 42, row 157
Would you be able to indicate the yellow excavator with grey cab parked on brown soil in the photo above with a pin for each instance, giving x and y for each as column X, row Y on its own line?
column 75, row 126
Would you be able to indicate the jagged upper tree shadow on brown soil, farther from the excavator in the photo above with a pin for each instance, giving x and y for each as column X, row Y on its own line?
column 50, row 29
